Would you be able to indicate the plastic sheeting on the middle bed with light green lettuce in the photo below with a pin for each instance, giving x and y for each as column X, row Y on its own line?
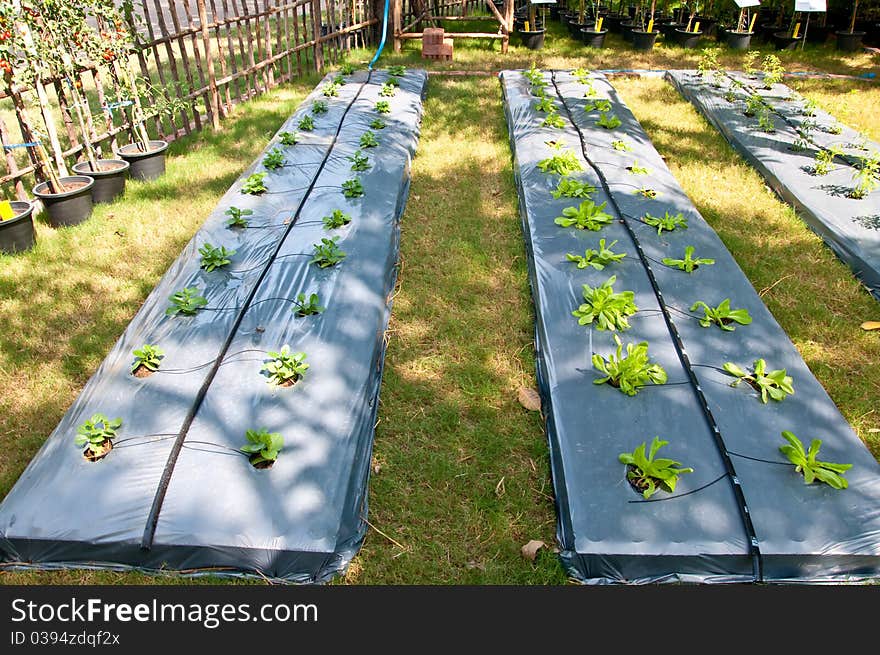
column 744, row 514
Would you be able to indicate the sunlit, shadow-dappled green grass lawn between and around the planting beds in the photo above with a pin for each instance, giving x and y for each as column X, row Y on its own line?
column 460, row 477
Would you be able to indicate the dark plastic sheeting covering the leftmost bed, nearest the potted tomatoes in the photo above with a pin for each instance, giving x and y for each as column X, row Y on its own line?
column 303, row 519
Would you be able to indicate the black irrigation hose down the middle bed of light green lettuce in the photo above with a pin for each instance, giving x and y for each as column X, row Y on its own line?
column 752, row 536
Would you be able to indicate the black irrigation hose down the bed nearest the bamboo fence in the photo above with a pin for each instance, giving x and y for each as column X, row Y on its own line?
column 158, row 499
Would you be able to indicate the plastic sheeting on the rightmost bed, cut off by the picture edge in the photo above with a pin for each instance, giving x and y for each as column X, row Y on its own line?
column 850, row 227
